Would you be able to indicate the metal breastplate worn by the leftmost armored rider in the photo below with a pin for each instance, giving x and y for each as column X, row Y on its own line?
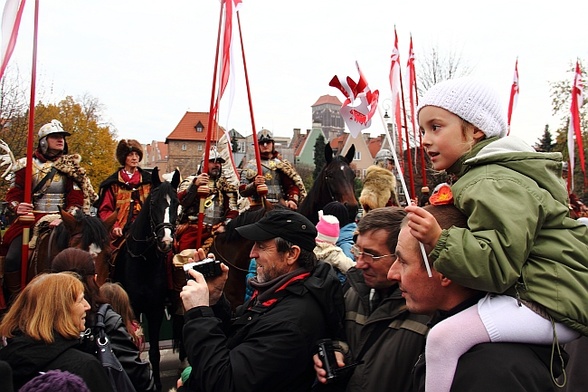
column 51, row 196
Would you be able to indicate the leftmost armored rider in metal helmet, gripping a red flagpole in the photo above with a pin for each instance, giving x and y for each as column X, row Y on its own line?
column 58, row 181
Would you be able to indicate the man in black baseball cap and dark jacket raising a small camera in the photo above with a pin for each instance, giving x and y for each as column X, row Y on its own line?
column 267, row 347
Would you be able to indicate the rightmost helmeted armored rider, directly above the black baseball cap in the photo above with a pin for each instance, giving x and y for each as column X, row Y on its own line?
column 284, row 185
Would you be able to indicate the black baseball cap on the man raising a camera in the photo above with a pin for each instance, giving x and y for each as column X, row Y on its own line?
column 287, row 224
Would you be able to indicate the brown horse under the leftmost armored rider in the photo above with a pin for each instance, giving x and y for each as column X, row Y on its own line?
column 77, row 230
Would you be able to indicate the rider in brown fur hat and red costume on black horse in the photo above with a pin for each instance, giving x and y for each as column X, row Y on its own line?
column 125, row 191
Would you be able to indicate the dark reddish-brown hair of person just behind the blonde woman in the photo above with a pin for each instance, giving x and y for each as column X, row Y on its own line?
column 82, row 263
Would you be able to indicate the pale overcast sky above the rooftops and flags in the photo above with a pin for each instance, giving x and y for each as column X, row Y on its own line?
column 148, row 62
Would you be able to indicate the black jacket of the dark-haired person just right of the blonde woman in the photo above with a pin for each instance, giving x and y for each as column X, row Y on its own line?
column 123, row 347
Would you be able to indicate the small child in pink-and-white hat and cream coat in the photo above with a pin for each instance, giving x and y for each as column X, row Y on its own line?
column 326, row 249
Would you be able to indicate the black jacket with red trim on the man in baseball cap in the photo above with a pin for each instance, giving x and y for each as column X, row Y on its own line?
column 269, row 346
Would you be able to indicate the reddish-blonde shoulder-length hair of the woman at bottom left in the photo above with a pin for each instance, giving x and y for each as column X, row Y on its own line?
column 44, row 307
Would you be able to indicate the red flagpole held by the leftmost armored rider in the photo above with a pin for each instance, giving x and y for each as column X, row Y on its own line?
column 29, row 168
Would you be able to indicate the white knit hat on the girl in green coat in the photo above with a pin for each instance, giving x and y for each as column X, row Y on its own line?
column 470, row 99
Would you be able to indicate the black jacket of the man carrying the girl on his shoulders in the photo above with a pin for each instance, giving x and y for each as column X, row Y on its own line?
column 504, row 367
